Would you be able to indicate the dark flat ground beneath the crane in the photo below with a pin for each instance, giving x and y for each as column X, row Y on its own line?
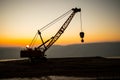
column 76, row 67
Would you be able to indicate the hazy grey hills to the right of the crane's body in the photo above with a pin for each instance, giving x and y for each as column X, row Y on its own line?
column 86, row 50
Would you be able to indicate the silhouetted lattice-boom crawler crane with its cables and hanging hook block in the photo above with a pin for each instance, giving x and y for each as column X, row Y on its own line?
column 38, row 53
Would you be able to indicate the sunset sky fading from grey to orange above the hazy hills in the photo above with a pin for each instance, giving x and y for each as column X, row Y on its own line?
column 20, row 20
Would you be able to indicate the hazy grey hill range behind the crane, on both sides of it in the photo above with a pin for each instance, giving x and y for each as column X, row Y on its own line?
column 110, row 49
